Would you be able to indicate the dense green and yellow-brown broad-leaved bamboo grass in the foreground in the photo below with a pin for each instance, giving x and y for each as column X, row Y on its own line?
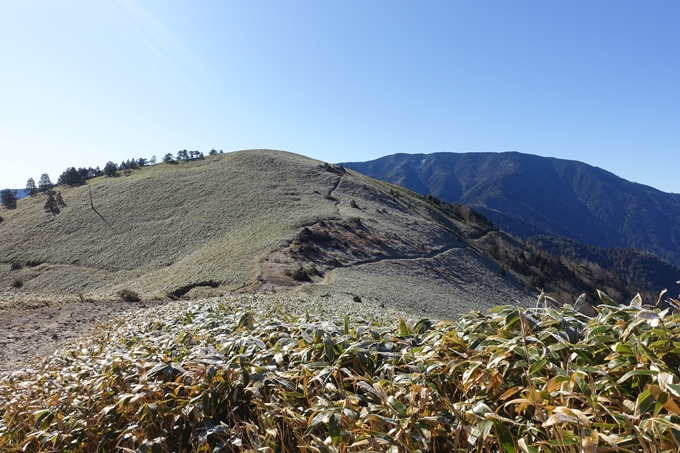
column 275, row 374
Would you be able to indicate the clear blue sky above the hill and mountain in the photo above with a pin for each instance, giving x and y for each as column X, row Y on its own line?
column 85, row 82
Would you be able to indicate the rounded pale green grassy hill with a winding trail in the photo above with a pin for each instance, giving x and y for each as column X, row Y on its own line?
column 248, row 221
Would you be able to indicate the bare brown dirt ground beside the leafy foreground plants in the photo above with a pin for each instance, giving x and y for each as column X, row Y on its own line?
column 37, row 332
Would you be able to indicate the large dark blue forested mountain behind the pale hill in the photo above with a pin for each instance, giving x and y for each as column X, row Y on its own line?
column 529, row 195
